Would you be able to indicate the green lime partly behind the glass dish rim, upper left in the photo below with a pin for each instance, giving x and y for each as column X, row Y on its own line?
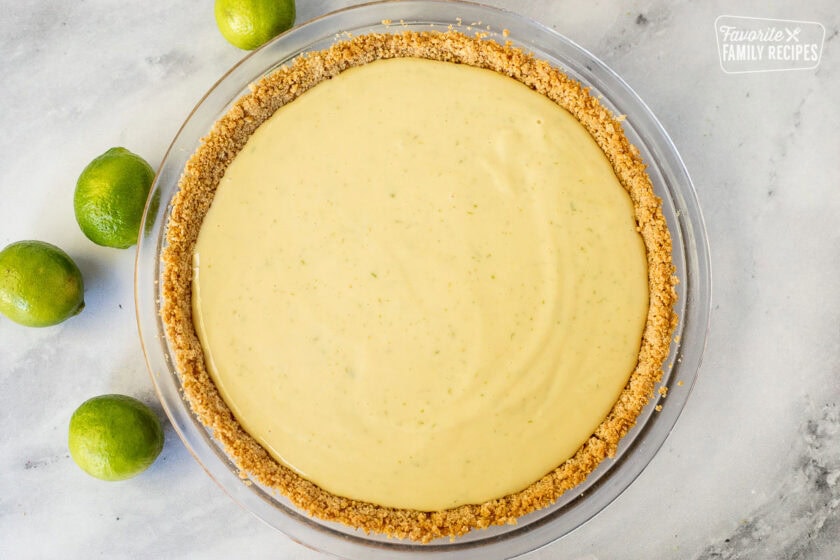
column 110, row 196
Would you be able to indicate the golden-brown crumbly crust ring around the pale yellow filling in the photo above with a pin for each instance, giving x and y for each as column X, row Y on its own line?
column 197, row 186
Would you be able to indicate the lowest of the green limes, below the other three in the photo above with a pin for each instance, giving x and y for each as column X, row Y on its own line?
column 114, row 437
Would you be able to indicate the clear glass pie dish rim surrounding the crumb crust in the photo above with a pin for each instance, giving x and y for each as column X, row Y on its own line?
column 671, row 183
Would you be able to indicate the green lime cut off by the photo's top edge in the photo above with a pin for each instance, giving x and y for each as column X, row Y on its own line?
column 248, row 24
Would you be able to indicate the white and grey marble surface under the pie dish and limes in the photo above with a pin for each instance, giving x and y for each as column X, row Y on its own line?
column 752, row 468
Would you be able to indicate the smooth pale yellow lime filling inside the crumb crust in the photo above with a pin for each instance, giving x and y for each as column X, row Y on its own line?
column 420, row 285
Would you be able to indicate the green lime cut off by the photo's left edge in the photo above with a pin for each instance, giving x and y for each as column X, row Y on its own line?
column 40, row 285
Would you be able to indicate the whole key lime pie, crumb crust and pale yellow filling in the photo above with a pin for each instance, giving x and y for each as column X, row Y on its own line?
column 418, row 283
